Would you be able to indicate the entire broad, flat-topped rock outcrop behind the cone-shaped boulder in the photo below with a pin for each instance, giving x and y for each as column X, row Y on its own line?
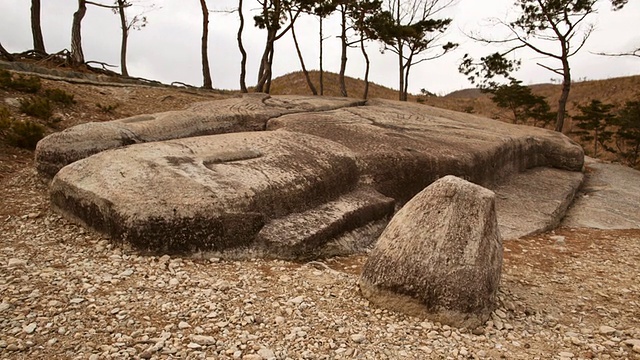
column 295, row 177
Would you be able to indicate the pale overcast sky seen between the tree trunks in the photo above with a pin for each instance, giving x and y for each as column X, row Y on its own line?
column 168, row 49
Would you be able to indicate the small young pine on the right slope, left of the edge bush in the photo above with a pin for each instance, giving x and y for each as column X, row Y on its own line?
column 594, row 119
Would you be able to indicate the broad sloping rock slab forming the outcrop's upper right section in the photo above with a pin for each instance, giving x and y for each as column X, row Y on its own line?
column 403, row 147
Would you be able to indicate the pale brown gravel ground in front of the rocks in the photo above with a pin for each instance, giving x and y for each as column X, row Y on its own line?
column 67, row 293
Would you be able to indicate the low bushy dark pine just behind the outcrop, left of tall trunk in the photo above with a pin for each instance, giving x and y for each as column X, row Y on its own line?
column 522, row 103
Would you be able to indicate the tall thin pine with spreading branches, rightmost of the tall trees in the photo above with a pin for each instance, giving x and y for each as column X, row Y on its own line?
column 540, row 22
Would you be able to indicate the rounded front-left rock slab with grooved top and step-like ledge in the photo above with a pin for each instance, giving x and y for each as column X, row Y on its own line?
column 221, row 192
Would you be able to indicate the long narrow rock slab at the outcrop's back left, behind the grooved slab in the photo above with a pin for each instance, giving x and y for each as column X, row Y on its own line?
column 249, row 113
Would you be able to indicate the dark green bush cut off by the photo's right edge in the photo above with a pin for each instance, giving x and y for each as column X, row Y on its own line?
column 628, row 134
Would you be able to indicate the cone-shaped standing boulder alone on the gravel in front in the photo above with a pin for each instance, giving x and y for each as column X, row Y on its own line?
column 440, row 256
